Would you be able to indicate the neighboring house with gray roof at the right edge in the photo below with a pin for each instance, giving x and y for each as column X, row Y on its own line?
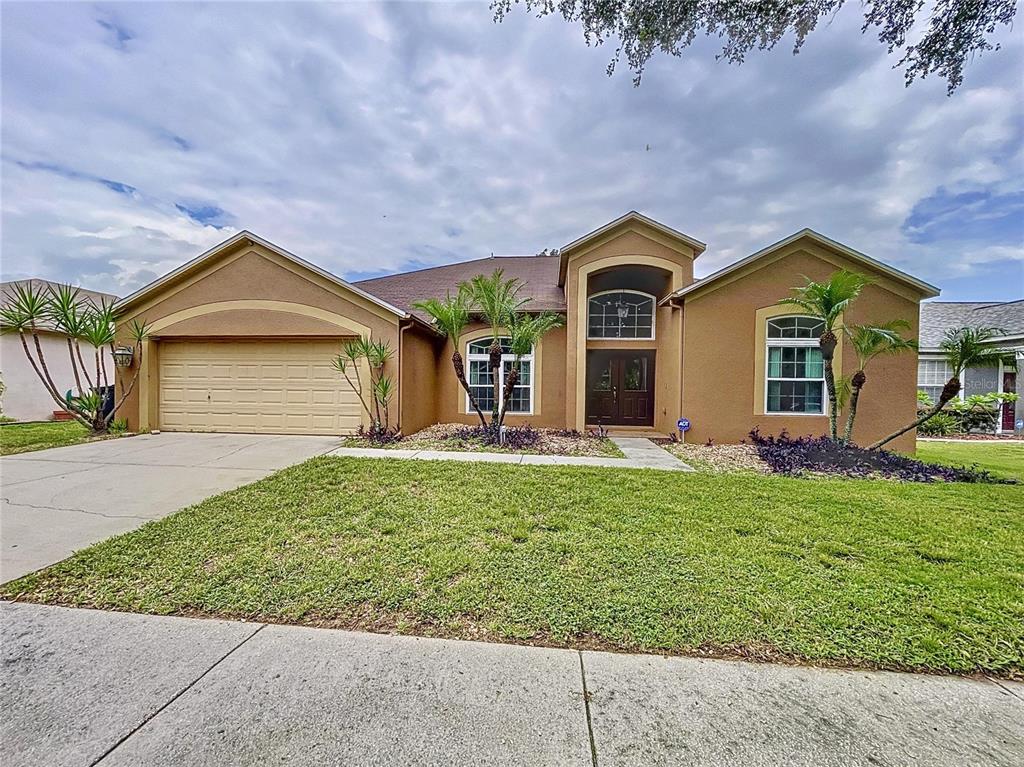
column 940, row 317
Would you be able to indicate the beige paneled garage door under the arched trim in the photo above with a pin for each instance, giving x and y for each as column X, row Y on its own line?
column 273, row 388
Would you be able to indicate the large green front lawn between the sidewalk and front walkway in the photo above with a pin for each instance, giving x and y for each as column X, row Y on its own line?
column 877, row 574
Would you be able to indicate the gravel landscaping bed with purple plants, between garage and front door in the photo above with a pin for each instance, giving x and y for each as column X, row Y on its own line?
column 461, row 438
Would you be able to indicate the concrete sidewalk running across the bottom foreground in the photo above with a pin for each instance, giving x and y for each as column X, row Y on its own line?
column 86, row 688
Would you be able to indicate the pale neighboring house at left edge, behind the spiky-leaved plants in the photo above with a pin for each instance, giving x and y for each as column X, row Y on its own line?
column 25, row 398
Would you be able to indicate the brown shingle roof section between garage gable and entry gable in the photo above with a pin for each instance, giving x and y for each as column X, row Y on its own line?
column 540, row 274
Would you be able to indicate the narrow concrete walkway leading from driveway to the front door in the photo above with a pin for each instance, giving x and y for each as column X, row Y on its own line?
column 641, row 454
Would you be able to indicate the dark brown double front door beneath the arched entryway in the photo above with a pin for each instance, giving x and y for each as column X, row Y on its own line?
column 621, row 388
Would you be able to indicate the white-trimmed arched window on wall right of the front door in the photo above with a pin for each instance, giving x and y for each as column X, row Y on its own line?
column 795, row 379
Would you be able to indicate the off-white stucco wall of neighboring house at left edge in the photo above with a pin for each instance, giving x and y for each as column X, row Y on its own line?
column 25, row 398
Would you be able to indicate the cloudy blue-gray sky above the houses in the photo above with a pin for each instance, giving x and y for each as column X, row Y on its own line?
column 372, row 139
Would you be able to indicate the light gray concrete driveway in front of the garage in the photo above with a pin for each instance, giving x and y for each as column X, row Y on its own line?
column 62, row 500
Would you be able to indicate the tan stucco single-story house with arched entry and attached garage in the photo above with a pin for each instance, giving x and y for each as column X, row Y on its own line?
column 244, row 334
